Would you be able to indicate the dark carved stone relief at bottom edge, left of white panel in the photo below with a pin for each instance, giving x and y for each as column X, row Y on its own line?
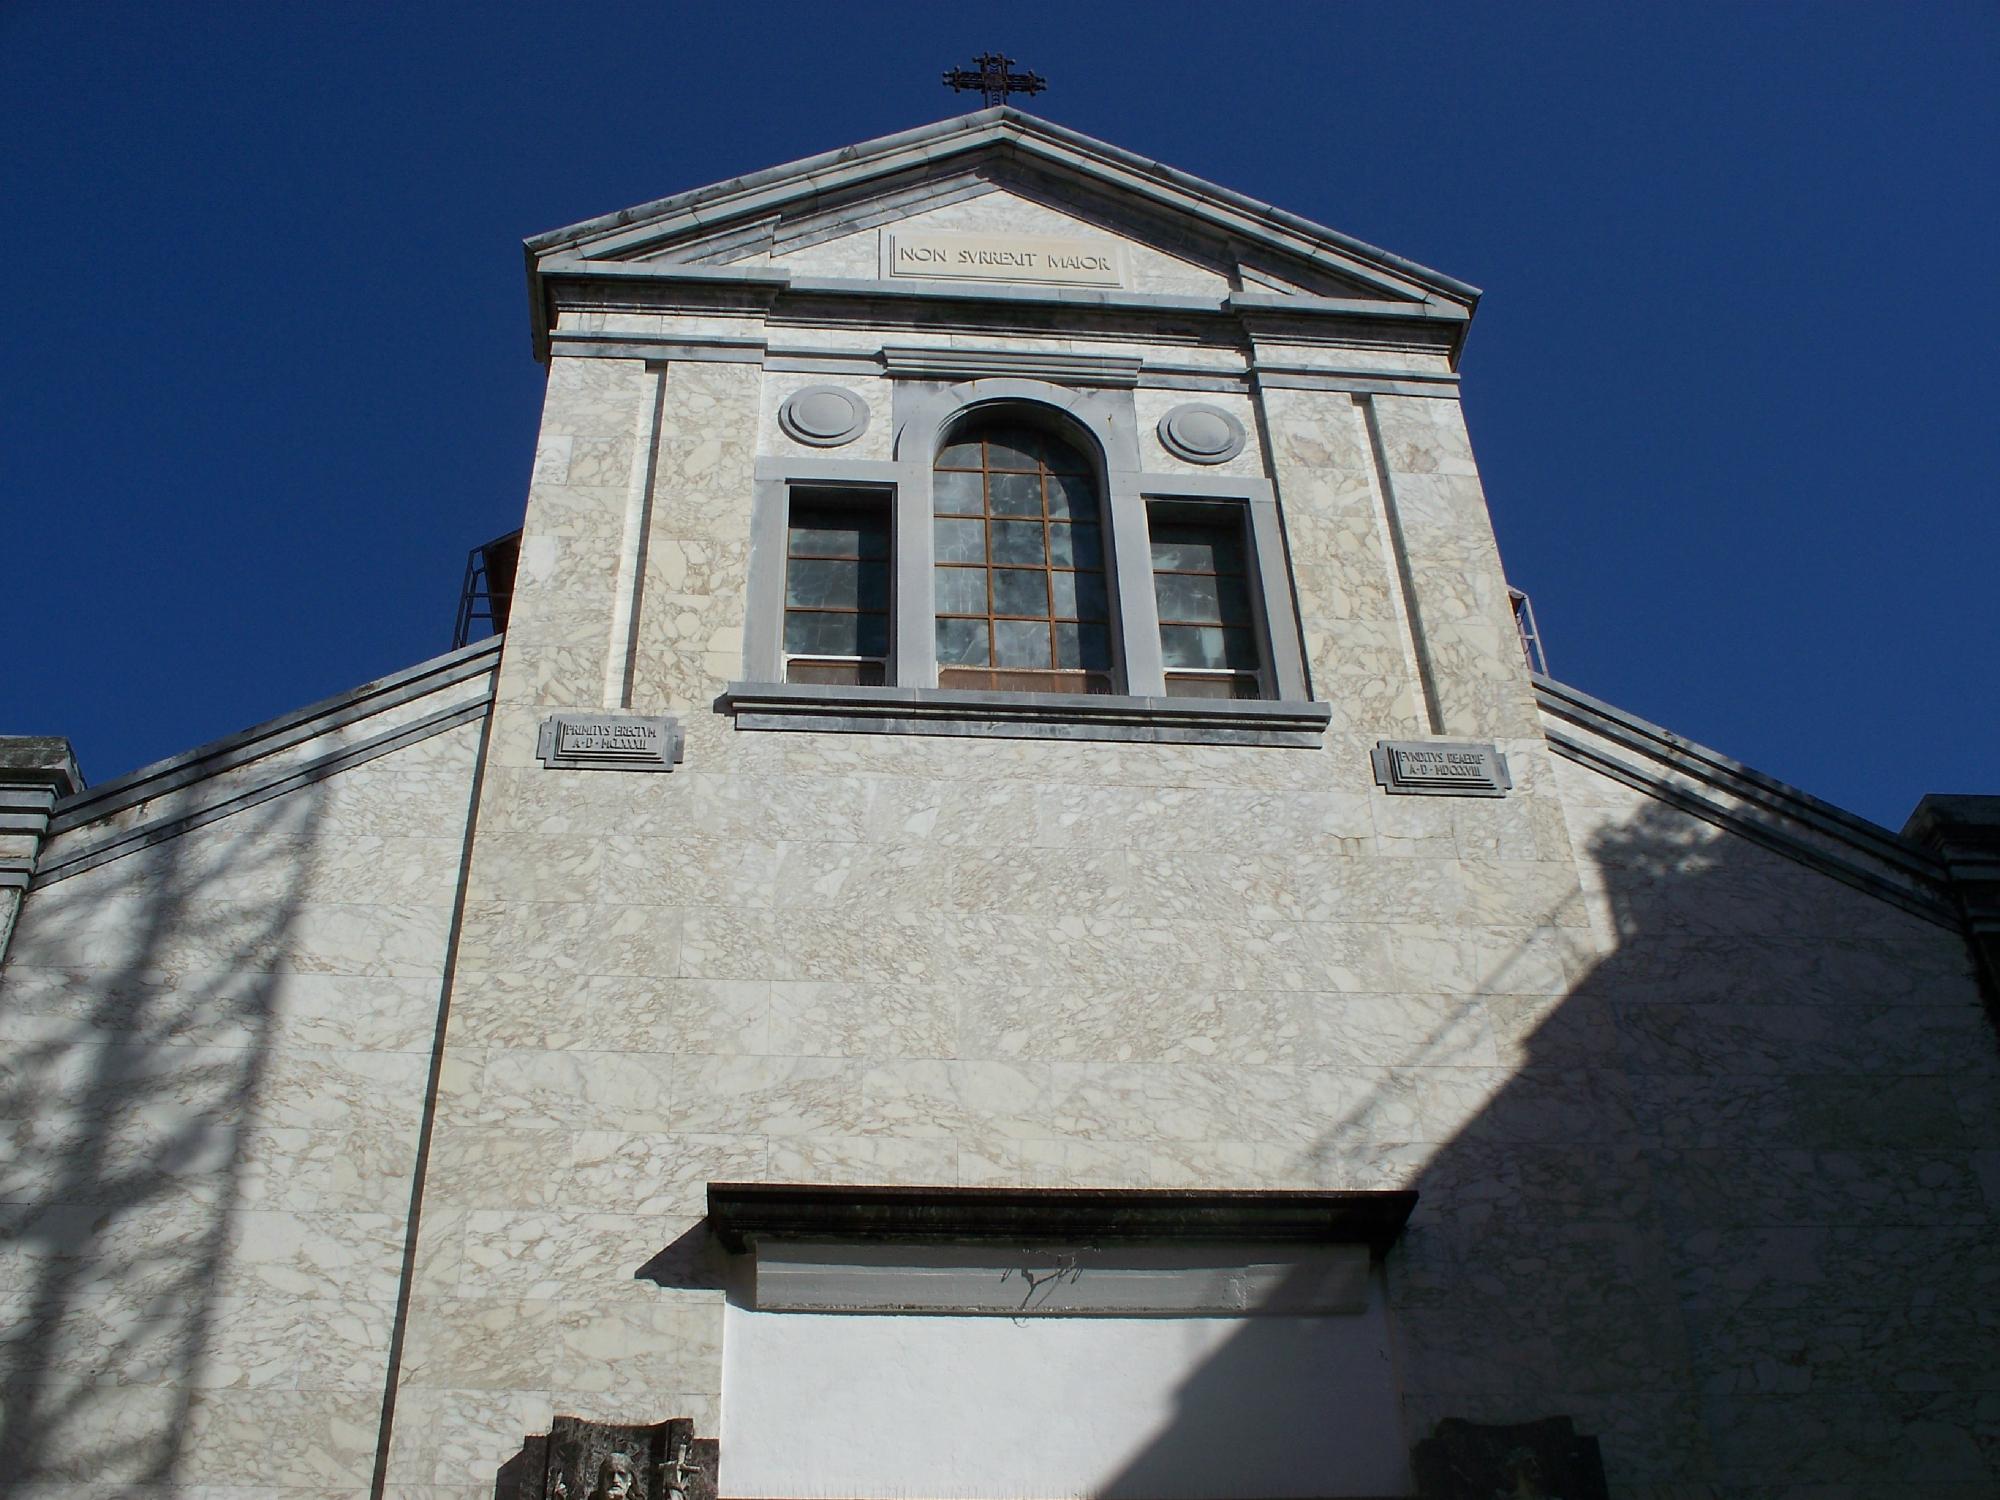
column 611, row 1461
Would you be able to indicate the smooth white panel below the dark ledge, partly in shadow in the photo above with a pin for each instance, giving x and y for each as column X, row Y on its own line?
column 1029, row 1409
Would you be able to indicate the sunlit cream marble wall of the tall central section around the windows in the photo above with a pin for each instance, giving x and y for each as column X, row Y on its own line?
column 945, row 961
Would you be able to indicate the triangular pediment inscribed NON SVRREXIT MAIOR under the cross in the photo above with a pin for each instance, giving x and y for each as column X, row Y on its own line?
column 979, row 185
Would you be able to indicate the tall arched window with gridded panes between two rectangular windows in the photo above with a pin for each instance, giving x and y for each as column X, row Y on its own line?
column 1021, row 595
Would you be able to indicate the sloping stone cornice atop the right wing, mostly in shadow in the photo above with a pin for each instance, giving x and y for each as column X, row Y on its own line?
column 1651, row 759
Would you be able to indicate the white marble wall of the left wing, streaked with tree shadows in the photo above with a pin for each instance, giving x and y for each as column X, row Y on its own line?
column 215, row 1063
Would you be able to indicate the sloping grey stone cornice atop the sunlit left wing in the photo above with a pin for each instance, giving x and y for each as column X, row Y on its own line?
column 341, row 711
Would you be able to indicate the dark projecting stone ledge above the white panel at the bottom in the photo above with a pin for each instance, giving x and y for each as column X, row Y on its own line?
column 741, row 1213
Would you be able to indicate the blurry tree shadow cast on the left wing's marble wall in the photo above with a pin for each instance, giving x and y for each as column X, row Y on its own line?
column 139, row 1003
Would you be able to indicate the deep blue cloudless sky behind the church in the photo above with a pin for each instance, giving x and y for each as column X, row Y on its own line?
column 267, row 373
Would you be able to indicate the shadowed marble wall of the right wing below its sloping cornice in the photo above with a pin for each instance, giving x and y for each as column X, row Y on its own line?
column 1809, row 1089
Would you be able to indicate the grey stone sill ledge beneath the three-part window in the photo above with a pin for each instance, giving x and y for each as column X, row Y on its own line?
column 1023, row 715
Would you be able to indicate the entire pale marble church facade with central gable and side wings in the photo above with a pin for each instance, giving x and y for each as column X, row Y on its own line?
column 1005, row 917
